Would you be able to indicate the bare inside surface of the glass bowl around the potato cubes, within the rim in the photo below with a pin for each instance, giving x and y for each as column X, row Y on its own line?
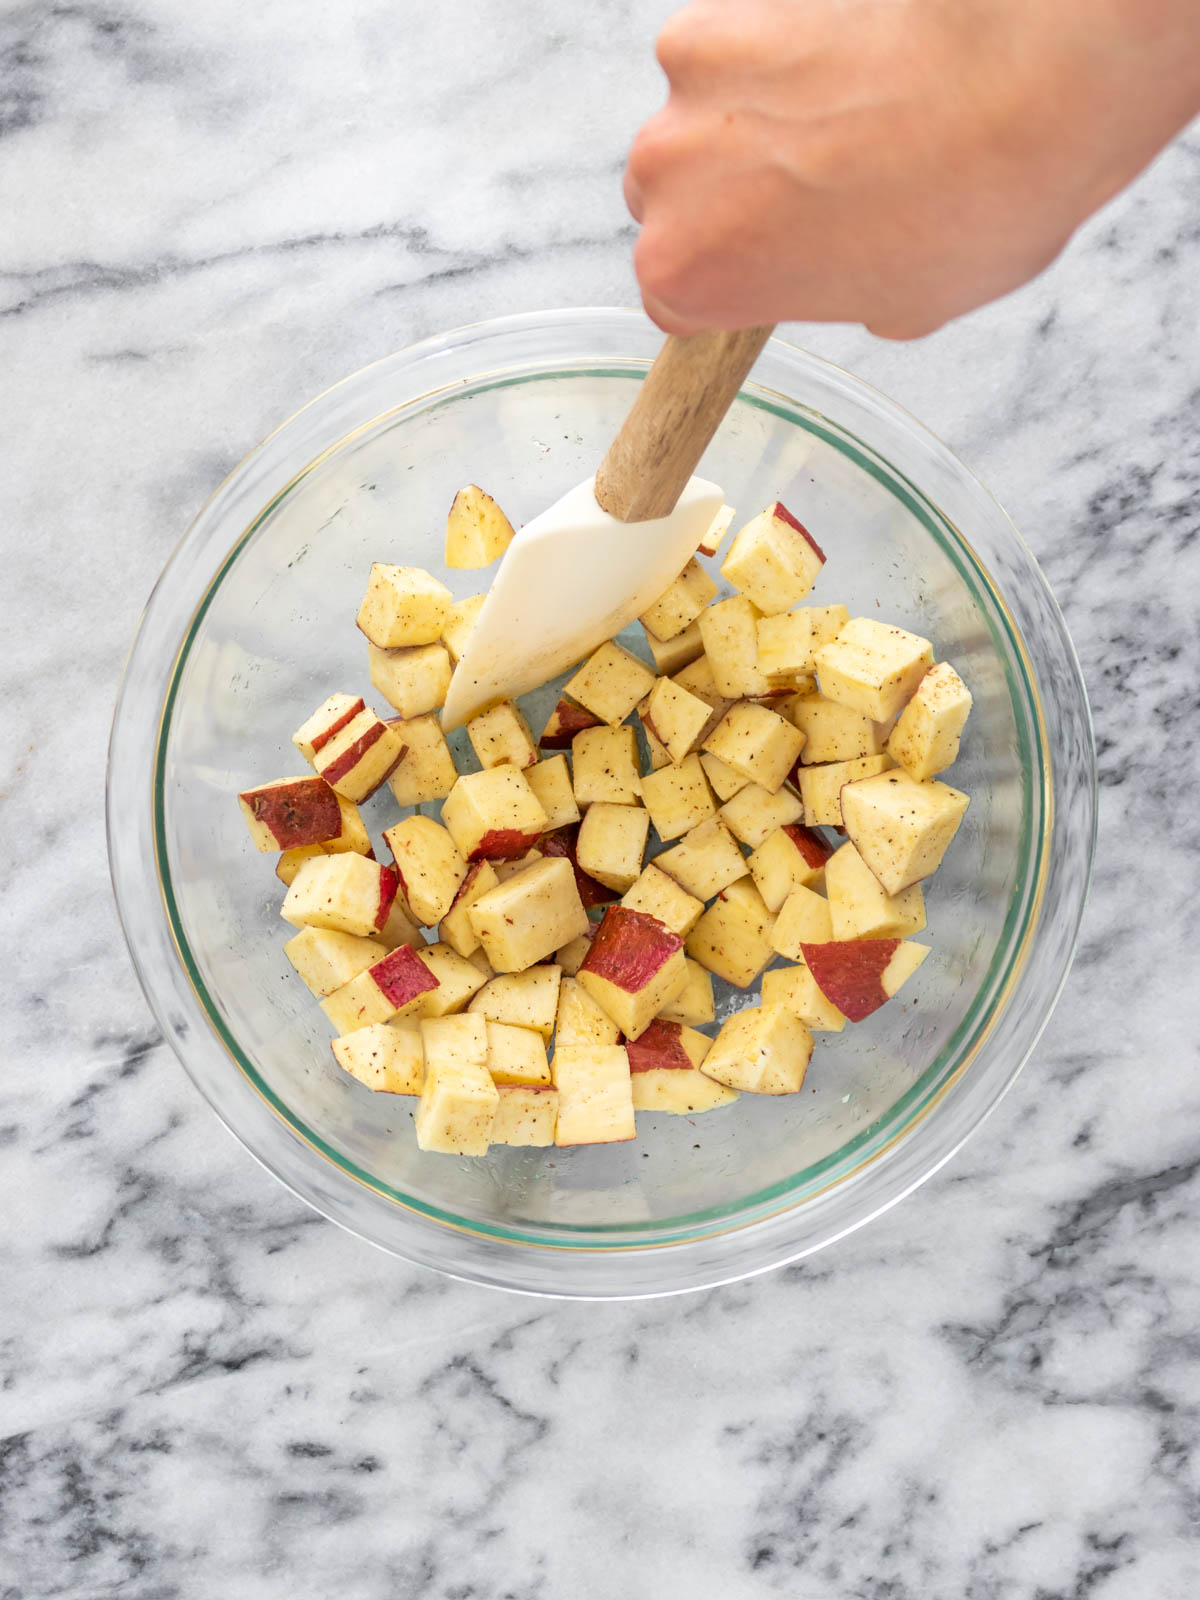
column 276, row 634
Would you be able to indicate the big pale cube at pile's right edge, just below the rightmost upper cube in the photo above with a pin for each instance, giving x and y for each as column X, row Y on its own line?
column 902, row 828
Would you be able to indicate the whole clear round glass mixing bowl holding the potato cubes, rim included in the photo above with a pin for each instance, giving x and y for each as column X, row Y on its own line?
column 252, row 626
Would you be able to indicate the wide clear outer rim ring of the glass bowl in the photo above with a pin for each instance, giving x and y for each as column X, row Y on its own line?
column 609, row 1266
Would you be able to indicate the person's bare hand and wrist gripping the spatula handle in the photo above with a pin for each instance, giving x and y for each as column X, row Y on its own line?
column 892, row 162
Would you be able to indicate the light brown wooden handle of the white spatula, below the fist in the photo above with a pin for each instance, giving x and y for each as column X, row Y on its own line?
column 678, row 410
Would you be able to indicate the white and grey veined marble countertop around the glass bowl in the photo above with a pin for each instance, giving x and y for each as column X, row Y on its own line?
column 214, row 212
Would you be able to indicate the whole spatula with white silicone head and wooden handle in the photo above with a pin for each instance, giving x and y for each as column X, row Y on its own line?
column 601, row 556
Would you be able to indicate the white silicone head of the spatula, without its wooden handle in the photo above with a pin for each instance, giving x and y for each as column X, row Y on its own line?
column 570, row 580
